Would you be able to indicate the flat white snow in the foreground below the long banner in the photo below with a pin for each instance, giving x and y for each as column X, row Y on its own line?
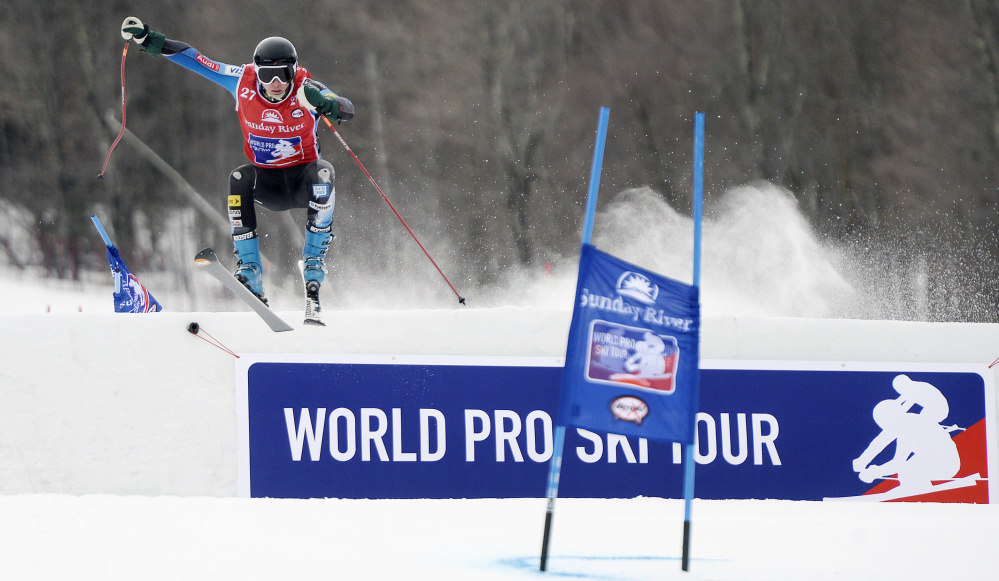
column 101, row 537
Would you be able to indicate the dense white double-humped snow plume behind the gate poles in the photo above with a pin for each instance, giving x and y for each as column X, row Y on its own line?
column 760, row 256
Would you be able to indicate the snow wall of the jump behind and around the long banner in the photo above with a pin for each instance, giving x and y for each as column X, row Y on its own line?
column 136, row 404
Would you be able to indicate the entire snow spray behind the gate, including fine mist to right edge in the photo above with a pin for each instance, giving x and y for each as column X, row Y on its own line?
column 762, row 258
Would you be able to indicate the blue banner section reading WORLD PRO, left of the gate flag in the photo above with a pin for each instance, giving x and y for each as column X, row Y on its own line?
column 396, row 431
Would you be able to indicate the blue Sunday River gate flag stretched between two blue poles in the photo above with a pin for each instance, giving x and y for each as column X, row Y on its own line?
column 632, row 360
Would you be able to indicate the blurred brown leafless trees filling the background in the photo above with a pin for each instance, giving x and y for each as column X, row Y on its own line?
column 477, row 119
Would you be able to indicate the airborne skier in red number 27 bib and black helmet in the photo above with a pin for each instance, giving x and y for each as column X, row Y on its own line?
column 278, row 104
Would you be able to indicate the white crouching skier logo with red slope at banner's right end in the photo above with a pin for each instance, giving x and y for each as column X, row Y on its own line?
column 929, row 458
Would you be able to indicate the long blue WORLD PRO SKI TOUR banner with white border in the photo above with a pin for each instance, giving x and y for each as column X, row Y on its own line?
column 314, row 426
